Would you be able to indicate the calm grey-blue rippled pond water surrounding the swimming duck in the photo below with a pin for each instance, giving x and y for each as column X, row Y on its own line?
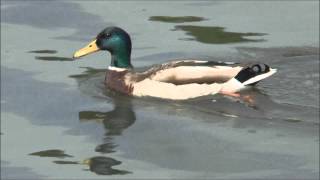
column 58, row 120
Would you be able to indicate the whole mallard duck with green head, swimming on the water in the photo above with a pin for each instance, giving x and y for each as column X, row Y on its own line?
column 177, row 80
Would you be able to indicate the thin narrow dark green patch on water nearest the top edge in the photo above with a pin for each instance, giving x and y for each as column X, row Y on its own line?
column 176, row 19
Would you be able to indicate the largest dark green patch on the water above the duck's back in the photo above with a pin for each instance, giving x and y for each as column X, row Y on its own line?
column 216, row 35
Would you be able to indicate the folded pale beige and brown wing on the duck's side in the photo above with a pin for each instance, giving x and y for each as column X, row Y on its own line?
column 194, row 71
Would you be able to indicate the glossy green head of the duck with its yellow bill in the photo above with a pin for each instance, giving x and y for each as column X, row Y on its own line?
column 112, row 39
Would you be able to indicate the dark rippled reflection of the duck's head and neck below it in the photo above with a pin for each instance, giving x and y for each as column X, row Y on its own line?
column 114, row 122
